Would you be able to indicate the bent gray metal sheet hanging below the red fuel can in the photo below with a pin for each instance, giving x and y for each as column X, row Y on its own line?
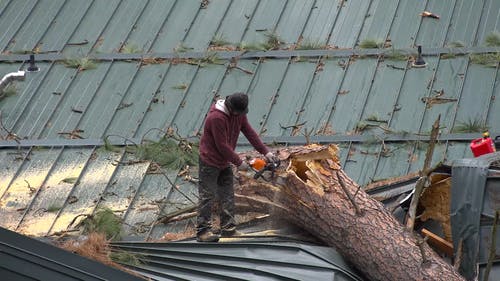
column 475, row 189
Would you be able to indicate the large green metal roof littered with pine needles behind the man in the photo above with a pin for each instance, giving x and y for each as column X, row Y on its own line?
column 119, row 72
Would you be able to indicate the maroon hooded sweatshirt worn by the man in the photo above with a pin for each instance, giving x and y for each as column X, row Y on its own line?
column 220, row 135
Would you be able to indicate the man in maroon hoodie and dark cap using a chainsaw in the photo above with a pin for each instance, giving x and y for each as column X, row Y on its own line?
column 223, row 124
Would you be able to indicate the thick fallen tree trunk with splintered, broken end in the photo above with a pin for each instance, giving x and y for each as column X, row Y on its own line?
column 312, row 191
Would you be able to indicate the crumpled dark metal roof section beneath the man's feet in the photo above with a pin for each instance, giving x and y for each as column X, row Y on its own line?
column 243, row 260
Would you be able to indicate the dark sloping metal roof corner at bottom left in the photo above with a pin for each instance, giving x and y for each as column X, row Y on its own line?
column 24, row 258
